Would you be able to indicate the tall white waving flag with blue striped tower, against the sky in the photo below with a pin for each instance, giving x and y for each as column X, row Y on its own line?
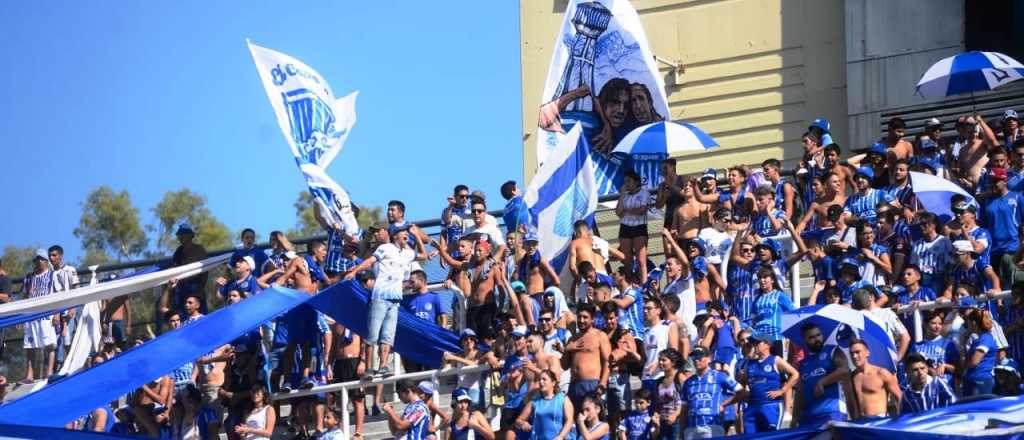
column 316, row 125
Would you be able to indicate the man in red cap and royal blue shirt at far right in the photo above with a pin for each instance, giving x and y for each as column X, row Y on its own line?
column 1004, row 214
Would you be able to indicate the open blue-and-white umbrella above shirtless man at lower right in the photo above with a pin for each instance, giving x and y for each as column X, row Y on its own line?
column 840, row 325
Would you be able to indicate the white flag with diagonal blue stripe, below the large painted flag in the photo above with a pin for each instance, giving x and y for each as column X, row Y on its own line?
column 563, row 192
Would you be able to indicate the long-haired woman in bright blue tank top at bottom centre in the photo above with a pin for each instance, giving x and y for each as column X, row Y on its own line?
column 549, row 414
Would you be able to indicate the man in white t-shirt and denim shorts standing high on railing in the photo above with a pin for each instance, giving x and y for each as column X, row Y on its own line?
column 393, row 262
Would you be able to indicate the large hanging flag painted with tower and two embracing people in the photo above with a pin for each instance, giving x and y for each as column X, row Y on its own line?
column 604, row 77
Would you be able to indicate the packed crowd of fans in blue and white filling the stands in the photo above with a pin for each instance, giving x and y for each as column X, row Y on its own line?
column 691, row 348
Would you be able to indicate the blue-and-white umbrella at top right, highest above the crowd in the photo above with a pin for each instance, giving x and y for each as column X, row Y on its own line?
column 969, row 72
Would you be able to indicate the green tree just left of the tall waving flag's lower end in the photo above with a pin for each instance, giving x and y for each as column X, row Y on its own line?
column 186, row 206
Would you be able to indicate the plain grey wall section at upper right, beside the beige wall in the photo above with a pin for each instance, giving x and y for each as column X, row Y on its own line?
column 889, row 46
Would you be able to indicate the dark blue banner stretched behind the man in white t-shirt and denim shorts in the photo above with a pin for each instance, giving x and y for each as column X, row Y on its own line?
column 416, row 339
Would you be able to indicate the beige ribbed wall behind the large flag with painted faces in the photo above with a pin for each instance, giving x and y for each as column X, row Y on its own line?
column 755, row 72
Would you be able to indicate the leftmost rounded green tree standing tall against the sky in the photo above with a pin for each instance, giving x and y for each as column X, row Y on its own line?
column 110, row 225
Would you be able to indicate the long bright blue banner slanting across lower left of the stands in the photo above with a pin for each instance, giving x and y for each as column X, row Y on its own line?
column 80, row 393
